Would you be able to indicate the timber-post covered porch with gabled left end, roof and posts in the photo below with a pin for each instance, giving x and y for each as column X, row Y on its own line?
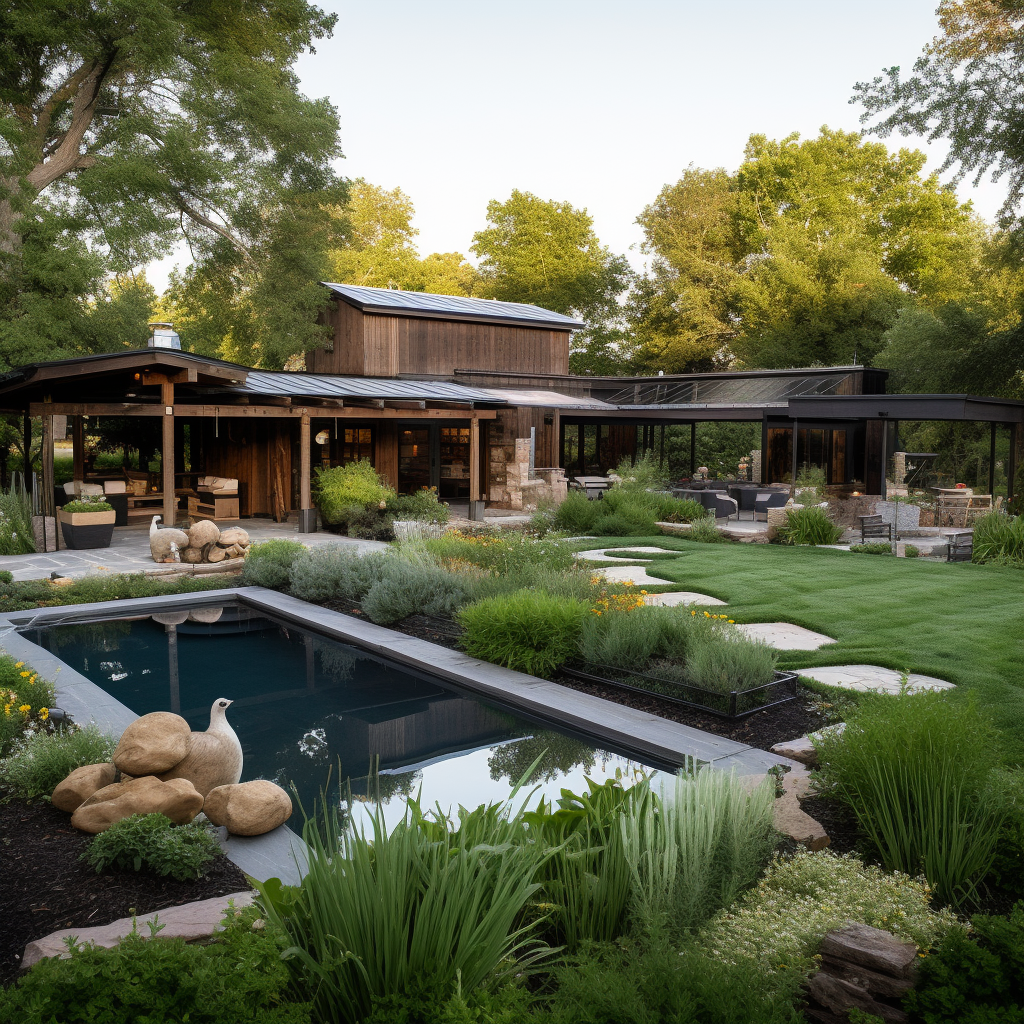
column 173, row 387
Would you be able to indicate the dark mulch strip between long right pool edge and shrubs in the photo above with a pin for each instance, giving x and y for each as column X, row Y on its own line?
column 762, row 730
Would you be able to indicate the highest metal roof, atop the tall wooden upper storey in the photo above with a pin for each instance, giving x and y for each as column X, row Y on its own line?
column 393, row 302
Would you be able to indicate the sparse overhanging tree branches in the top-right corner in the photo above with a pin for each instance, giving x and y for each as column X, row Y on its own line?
column 967, row 89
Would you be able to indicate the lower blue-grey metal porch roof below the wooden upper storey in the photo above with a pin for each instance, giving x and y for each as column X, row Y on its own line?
column 288, row 385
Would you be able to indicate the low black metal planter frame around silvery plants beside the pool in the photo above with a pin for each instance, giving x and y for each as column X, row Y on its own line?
column 737, row 704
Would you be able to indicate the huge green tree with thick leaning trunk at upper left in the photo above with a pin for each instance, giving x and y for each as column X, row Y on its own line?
column 125, row 126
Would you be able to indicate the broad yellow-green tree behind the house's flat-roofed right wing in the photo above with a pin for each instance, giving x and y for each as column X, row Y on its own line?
column 804, row 257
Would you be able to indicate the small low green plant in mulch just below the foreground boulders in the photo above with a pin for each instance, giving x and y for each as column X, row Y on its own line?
column 153, row 843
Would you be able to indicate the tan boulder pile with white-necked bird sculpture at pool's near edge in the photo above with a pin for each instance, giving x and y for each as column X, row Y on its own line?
column 161, row 766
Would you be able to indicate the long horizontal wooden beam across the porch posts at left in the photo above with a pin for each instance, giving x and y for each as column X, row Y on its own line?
column 259, row 412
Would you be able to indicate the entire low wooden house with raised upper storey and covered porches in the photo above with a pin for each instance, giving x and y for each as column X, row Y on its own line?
column 468, row 396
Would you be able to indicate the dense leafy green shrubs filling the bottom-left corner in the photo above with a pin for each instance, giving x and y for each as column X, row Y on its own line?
column 238, row 979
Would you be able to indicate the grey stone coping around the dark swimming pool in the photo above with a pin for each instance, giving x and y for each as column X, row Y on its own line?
column 280, row 854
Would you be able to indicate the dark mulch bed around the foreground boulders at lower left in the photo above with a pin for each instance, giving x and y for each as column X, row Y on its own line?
column 47, row 888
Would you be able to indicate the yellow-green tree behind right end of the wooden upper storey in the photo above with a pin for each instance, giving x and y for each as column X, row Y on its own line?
column 547, row 253
